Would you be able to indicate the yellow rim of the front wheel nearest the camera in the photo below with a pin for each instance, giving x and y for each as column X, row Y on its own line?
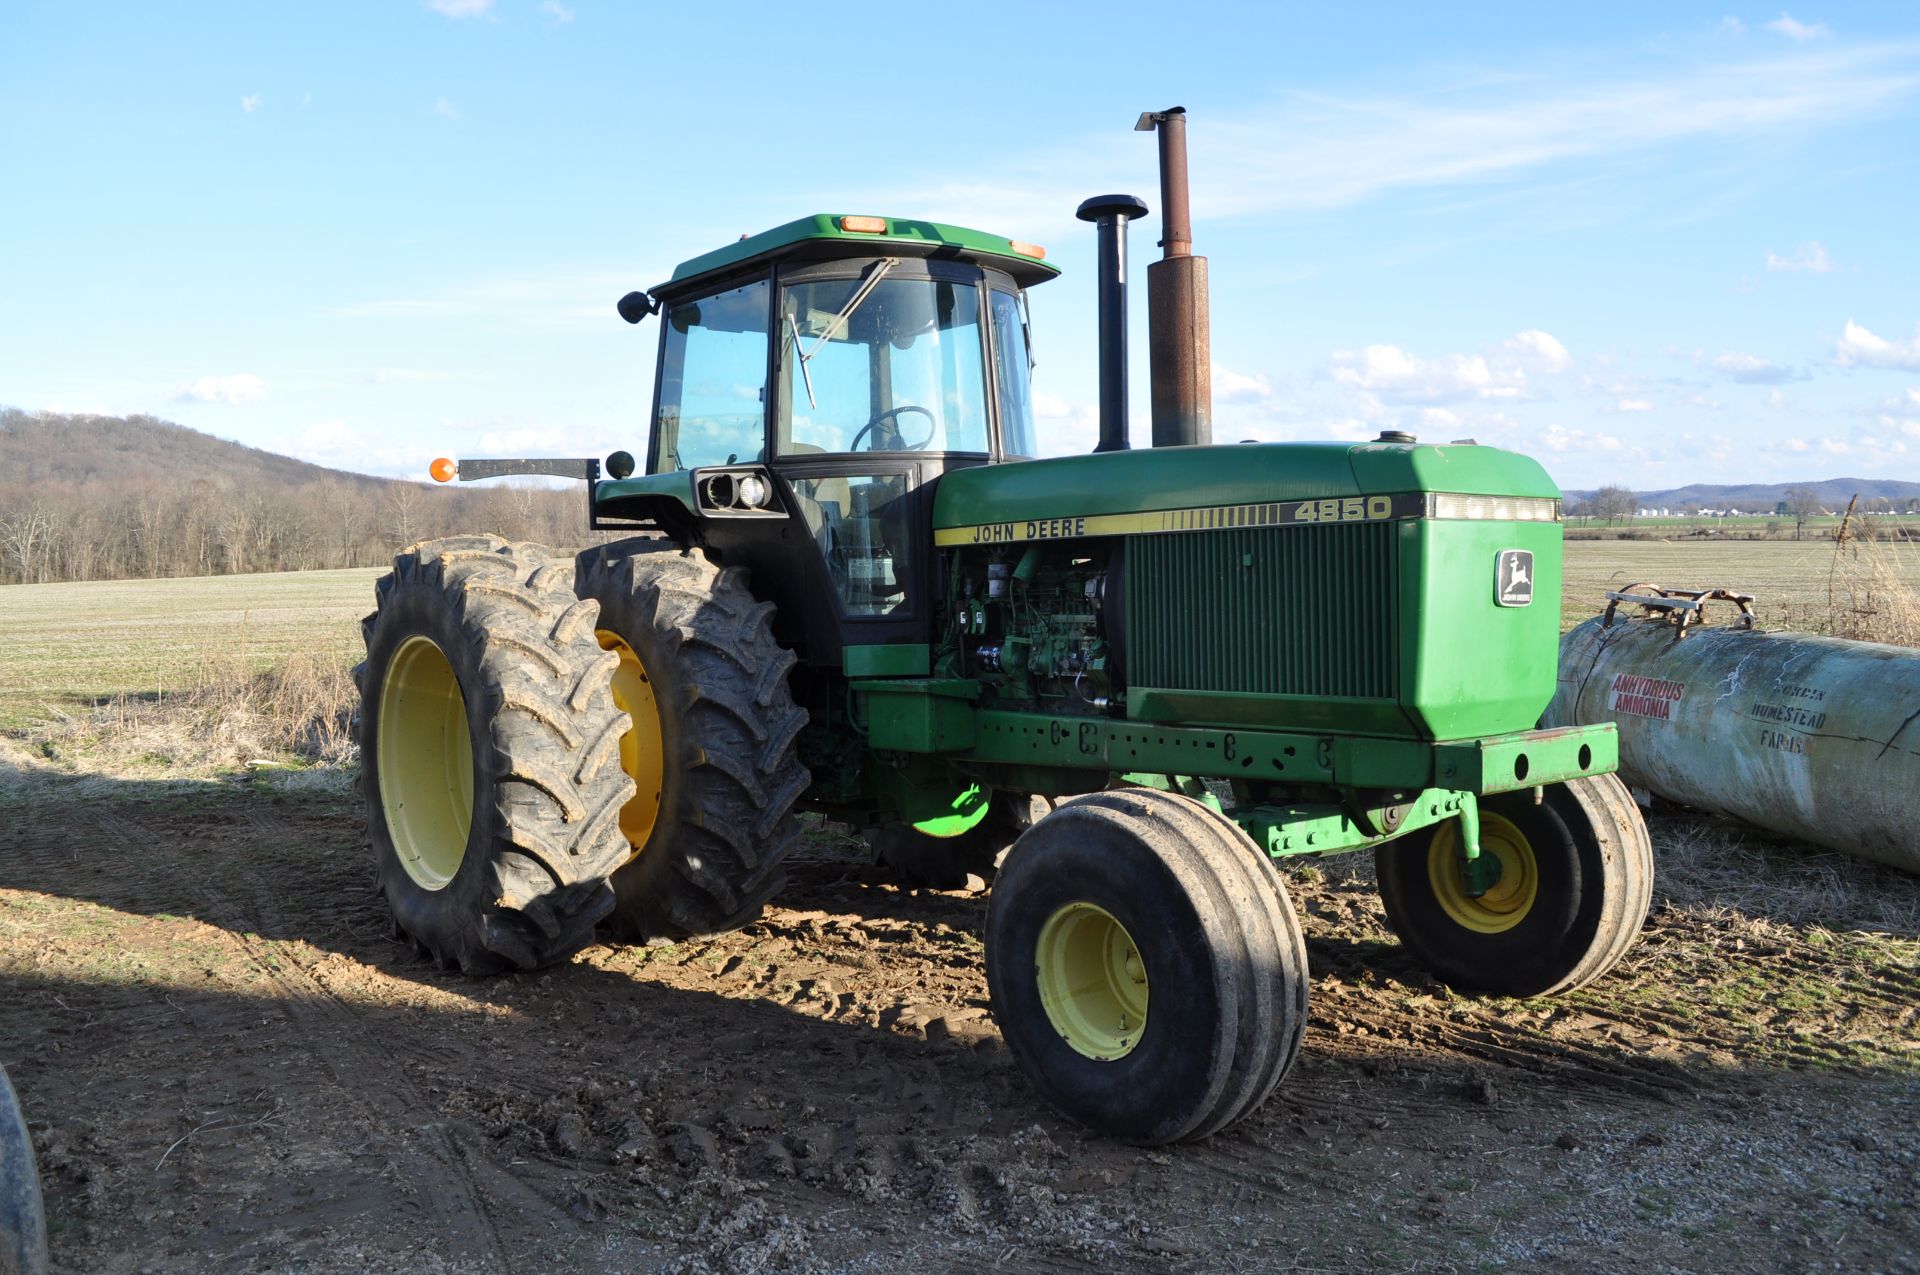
column 1093, row 982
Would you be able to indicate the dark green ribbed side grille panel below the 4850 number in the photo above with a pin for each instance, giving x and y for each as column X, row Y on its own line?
column 1268, row 612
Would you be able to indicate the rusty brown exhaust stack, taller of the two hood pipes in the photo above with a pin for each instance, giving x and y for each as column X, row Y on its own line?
column 1178, row 333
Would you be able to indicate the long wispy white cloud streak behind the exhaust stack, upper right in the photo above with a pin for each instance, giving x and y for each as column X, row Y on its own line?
column 1326, row 153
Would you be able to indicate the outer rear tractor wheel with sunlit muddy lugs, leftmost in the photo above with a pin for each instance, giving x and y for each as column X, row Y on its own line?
column 491, row 756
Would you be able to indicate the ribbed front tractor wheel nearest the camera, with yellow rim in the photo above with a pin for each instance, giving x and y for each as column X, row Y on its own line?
column 1145, row 967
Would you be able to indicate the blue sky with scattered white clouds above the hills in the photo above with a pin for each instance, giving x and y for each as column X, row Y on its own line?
column 1650, row 245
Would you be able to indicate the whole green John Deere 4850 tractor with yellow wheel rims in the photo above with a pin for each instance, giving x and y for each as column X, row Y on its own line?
column 848, row 587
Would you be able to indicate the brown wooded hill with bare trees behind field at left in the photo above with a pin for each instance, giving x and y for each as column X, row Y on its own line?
column 110, row 516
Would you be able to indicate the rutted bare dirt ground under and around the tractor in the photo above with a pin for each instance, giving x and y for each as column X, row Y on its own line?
column 231, row 1067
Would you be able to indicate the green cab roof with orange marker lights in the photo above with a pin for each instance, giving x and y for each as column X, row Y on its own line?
column 825, row 235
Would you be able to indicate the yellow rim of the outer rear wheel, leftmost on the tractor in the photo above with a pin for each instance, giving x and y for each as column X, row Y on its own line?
column 427, row 763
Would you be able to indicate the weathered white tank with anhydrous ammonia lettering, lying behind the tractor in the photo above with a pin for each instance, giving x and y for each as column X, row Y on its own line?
column 1810, row 736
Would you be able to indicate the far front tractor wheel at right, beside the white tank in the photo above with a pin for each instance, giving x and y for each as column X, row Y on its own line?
column 1573, row 890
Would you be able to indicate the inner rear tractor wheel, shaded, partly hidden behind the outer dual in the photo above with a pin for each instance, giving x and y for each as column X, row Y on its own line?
column 711, row 844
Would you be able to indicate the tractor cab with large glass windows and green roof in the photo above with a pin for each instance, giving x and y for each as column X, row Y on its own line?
column 815, row 381
